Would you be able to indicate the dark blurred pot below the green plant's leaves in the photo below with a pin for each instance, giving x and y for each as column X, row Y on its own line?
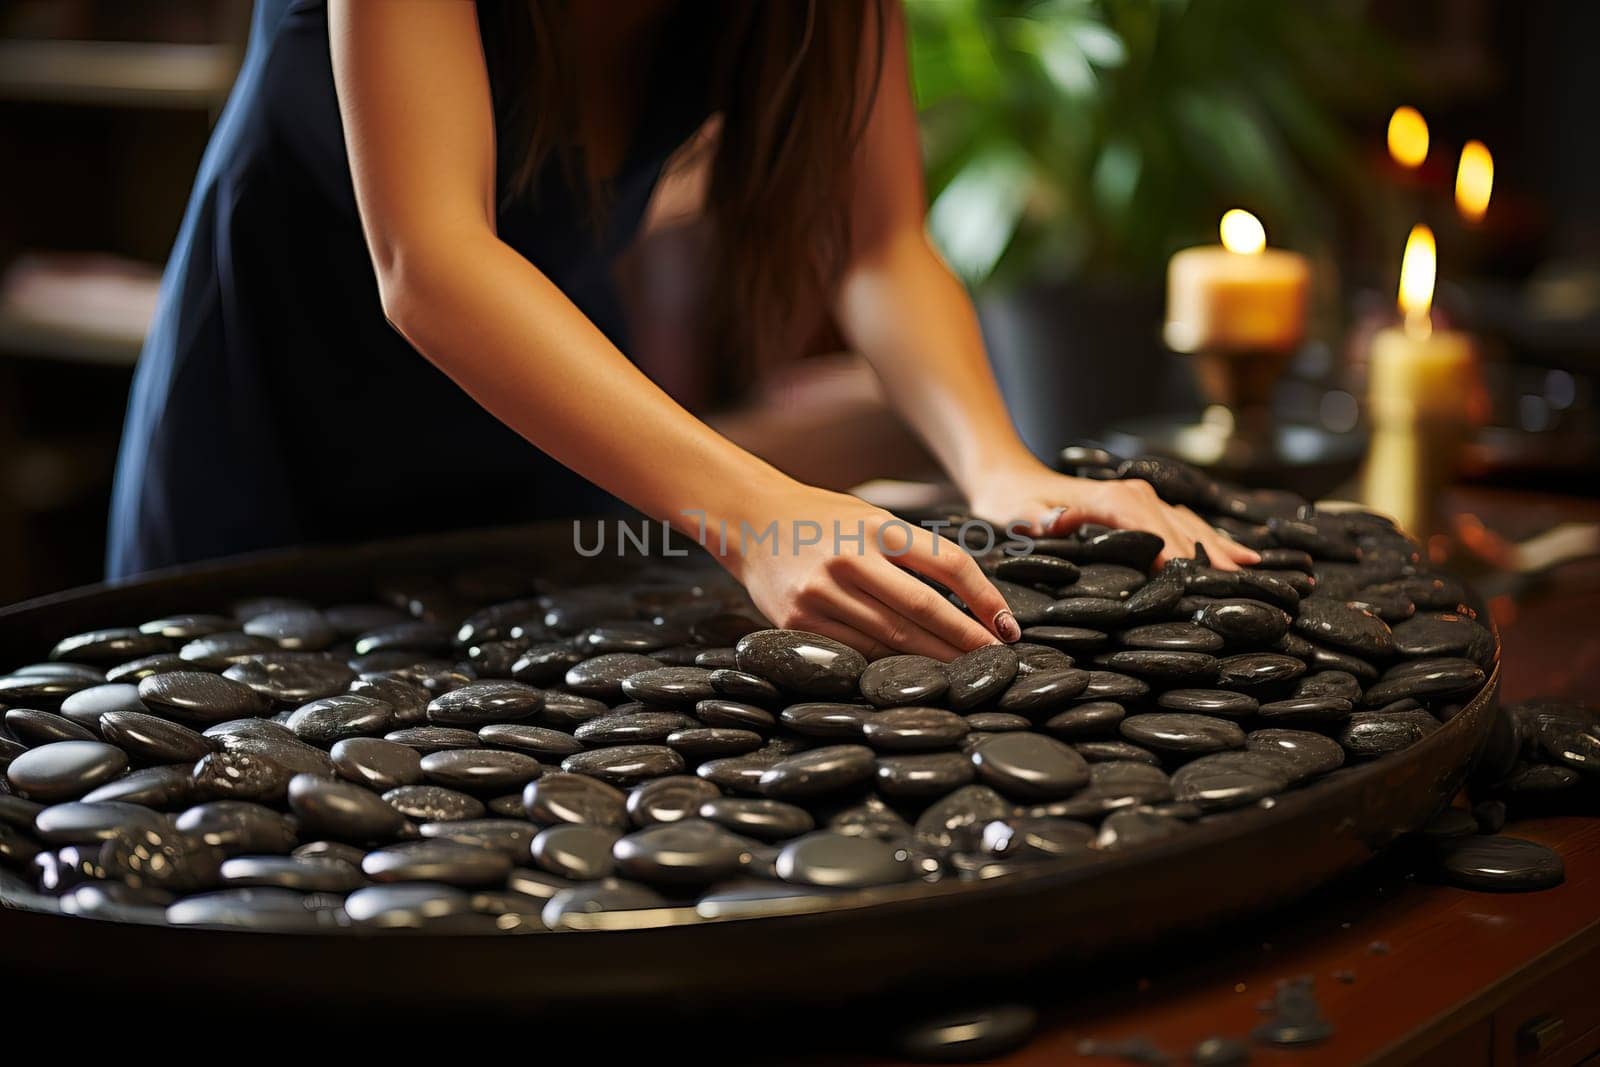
column 1076, row 358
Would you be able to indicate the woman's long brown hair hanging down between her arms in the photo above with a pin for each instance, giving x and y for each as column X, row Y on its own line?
column 791, row 82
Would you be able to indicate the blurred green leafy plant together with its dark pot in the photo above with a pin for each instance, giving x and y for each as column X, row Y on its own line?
column 1074, row 145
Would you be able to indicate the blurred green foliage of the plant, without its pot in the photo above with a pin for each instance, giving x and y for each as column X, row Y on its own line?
column 1071, row 138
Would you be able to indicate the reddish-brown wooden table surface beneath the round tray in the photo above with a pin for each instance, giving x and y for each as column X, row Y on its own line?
column 1407, row 973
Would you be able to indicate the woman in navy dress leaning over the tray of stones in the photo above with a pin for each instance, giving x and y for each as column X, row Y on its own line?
column 455, row 180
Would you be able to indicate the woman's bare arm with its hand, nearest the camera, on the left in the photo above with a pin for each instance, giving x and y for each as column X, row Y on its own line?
column 420, row 132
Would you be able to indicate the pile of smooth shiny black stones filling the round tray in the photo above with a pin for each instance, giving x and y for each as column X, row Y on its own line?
column 495, row 754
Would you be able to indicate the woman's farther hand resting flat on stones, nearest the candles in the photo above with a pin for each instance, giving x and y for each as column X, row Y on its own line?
column 1052, row 505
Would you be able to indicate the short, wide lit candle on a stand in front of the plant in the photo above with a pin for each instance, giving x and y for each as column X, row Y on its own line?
column 1236, row 297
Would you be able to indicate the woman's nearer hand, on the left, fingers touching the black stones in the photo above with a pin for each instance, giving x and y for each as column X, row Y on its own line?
column 834, row 565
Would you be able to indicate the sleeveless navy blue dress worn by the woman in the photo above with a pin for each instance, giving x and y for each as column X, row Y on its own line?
column 273, row 404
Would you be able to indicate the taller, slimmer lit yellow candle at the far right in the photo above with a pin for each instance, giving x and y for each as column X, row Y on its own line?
column 1422, row 385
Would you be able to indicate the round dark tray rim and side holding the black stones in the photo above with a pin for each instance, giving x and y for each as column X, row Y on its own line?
column 892, row 941
